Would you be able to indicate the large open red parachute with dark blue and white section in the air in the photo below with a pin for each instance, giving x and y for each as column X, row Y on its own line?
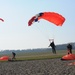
column 52, row 17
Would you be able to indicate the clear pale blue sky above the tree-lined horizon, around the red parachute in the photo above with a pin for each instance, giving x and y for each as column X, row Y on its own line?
column 16, row 34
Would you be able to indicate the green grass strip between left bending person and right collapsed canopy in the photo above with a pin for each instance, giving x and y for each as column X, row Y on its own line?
column 41, row 55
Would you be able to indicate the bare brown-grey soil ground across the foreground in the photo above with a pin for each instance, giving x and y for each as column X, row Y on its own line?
column 37, row 67
